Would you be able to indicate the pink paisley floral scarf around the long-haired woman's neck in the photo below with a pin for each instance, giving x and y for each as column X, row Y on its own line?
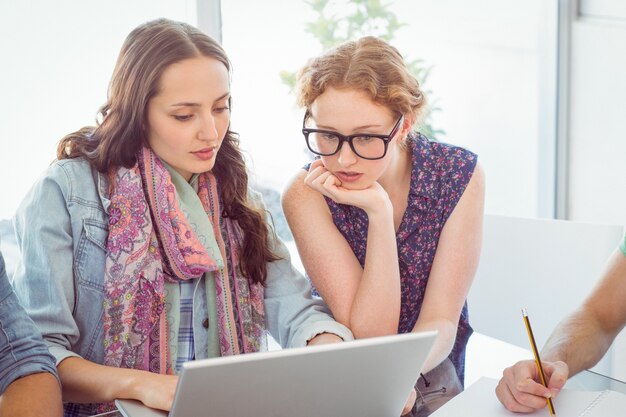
column 150, row 242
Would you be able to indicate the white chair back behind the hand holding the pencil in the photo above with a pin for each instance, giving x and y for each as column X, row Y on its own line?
column 547, row 266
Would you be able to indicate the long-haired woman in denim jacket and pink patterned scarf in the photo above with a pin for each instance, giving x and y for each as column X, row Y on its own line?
column 142, row 245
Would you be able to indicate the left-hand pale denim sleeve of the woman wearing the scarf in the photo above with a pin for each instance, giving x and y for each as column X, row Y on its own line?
column 43, row 278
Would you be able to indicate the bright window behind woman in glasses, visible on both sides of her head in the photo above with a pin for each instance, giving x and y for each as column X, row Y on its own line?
column 492, row 76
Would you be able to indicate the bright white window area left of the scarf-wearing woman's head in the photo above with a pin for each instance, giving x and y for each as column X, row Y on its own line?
column 56, row 61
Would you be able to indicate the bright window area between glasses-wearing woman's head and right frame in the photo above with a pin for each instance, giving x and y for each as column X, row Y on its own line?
column 486, row 77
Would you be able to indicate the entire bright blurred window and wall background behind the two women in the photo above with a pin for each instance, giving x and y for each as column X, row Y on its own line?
column 535, row 88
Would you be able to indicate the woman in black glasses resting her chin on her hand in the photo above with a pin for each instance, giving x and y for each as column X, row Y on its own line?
column 387, row 222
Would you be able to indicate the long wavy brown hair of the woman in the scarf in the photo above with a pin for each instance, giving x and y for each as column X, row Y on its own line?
column 122, row 123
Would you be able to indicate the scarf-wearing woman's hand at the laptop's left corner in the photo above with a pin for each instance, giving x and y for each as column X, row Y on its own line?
column 156, row 390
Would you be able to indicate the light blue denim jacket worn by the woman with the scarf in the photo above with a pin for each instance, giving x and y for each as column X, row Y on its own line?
column 62, row 227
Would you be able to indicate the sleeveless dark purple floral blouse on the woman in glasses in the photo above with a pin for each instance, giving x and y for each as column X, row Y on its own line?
column 439, row 175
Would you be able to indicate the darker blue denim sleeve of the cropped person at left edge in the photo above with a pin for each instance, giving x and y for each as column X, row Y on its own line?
column 22, row 350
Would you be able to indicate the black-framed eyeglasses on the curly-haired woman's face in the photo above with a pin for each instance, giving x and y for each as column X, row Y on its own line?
column 364, row 145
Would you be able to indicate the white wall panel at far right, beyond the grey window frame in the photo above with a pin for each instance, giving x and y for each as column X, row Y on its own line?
column 597, row 171
